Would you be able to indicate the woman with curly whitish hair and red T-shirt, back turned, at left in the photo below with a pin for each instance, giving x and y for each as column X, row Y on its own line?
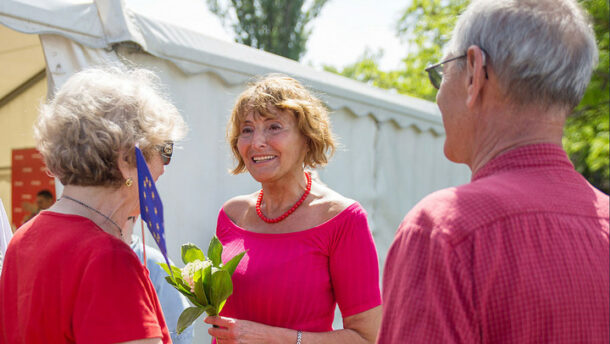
column 68, row 276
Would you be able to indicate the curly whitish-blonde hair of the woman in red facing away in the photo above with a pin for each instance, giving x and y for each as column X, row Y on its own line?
column 99, row 112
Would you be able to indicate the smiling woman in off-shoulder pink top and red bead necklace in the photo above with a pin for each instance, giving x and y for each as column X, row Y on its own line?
column 308, row 247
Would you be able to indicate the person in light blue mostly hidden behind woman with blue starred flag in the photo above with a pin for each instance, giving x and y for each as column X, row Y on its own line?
column 172, row 302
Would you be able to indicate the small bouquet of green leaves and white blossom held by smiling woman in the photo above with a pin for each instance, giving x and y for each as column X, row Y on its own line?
column 206, row 282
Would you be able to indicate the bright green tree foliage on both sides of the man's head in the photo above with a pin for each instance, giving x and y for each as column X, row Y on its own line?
column 425, row 28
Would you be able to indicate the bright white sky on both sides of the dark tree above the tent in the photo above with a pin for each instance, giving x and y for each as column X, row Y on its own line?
column 341, row 33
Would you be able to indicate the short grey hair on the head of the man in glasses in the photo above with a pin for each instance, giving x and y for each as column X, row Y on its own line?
column 543, row 51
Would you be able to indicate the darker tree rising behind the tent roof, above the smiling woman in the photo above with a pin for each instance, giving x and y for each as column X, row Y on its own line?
column 277, row 26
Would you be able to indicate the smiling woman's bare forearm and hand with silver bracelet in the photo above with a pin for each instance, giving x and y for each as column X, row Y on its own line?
column 361, row 328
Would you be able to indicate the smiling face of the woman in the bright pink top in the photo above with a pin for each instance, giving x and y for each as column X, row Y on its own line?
column 272, row 145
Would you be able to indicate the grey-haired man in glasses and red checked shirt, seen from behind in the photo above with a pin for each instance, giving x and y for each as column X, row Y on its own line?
column 520, row 254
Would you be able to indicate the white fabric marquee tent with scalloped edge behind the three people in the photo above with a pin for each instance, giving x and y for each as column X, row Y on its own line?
column 391, row 153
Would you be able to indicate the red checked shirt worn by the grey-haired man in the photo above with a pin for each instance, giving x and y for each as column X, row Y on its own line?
column 519, row 255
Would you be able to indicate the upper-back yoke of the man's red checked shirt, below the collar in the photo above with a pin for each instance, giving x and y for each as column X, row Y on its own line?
column 457, row 211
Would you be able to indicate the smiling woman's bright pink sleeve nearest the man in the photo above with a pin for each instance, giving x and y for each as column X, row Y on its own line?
column 354, row 266
